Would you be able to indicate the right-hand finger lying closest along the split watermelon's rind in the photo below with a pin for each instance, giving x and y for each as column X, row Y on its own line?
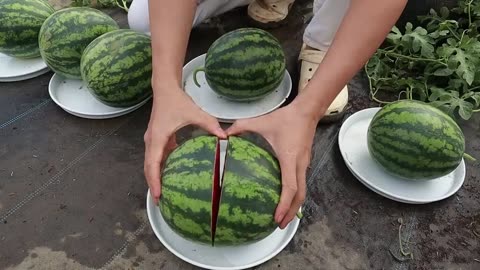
column 289, row 187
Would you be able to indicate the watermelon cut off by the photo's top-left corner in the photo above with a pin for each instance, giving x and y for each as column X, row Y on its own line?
column 20, row 22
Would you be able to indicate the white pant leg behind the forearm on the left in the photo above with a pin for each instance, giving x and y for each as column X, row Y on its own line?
column 138, row 16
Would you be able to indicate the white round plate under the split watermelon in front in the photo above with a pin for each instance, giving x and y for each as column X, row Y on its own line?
column 206, row 256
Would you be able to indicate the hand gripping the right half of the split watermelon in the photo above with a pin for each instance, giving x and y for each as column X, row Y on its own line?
column 290, row 132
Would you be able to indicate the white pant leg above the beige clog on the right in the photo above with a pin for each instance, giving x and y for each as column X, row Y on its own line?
column 327, row 16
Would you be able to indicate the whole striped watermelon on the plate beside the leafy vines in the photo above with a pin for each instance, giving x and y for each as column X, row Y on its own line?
column 414, row 140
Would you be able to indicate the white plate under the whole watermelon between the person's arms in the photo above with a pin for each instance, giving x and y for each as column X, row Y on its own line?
column 223, row 109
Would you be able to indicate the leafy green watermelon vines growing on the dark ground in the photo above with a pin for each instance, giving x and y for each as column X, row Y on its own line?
column 435, row 61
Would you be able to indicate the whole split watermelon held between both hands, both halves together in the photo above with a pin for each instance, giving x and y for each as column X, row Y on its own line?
column 232, row 208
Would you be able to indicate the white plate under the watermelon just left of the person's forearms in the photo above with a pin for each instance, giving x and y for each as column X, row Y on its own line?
column 73, row 96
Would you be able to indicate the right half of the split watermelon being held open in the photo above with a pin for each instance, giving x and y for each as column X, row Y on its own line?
column 250, row 193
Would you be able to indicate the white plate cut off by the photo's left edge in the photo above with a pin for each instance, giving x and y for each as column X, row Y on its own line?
column 14, row 69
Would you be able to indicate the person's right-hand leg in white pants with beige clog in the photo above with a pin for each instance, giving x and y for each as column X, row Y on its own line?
column 318, row 36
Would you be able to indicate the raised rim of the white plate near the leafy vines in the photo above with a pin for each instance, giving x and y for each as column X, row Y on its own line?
column 456, row 183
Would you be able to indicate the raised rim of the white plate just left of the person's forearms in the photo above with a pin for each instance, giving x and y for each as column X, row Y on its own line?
column 56, row 78
